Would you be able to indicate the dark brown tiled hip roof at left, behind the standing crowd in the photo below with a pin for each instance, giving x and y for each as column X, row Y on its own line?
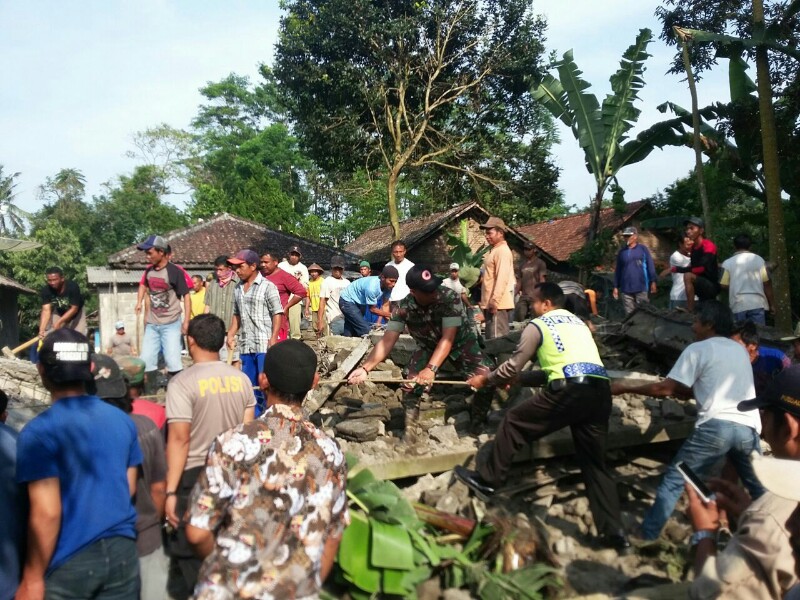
column 198, row 245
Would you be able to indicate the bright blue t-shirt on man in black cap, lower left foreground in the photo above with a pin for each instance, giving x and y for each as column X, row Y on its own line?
column 89, row 446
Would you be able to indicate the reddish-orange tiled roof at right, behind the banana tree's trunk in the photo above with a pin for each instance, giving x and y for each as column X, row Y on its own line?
column 561, row 237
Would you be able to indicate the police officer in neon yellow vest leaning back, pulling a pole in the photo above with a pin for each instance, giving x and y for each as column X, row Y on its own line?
column 576, row 393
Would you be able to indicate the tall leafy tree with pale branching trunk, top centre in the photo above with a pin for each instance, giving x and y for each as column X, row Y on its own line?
column 390, row 87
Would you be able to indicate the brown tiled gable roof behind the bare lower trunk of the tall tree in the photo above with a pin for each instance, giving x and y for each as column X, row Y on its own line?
column 375, row 244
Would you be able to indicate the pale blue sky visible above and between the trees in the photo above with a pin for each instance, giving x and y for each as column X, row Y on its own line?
column 80, row 78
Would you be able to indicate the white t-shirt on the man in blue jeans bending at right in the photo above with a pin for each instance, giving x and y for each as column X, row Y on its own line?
column 718, row 371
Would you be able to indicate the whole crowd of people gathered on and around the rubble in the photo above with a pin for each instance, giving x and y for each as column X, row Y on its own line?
column 227, row 490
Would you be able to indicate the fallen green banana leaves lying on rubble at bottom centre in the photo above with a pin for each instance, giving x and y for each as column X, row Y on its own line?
column 386, row 551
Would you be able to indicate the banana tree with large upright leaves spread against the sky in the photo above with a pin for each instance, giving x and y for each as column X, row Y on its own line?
column 602, row 131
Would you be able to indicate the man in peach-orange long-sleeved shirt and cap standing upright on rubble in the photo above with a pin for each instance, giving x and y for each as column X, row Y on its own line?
column 497, row 289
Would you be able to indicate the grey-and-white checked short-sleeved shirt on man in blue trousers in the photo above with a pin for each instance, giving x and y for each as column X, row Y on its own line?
column 255, row 309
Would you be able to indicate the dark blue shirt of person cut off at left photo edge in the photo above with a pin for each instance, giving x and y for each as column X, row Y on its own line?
column 13, row 515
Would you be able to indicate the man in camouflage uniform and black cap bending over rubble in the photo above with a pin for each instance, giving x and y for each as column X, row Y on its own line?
column 438, row 321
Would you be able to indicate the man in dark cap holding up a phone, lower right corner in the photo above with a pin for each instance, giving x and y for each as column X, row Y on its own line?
column 757, row 561
